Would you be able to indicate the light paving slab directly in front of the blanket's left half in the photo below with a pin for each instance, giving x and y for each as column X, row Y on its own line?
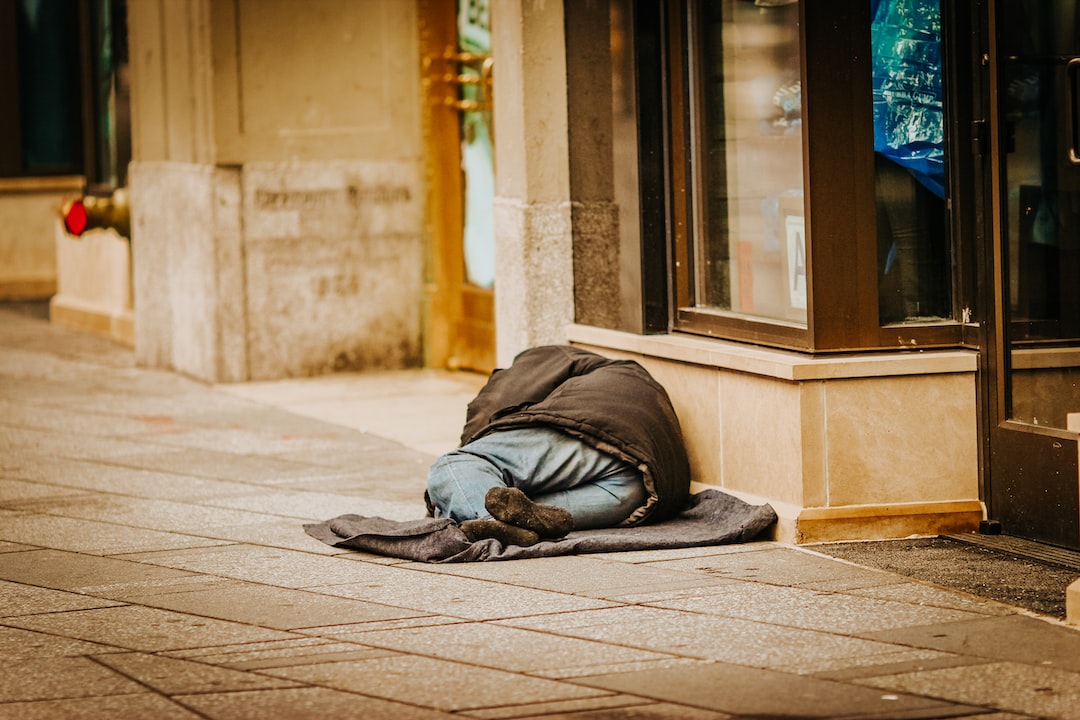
column 440, row 594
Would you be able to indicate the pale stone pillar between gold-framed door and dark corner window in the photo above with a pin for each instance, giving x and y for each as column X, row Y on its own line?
column 534, row 255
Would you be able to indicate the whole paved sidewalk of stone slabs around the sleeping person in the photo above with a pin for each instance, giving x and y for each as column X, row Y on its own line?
column 153, row 565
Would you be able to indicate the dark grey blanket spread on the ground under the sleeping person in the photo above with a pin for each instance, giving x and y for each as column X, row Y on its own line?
column 710, row 519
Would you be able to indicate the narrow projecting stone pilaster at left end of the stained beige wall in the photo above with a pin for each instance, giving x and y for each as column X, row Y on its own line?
column 174, row 261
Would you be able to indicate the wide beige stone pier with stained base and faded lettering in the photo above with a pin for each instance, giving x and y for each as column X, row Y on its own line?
column 276, row 188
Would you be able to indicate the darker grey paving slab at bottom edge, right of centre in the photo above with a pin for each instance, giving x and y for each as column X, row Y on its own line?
column 762, row 694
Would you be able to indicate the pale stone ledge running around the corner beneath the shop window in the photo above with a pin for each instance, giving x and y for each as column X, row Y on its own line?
column 772, row 363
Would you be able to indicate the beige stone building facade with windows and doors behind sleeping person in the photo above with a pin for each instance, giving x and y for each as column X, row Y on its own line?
column 695, row 186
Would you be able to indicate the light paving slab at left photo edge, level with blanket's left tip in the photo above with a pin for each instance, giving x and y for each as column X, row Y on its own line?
column 82, row 536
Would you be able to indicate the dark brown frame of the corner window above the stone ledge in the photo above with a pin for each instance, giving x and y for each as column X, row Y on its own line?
column 839, row 192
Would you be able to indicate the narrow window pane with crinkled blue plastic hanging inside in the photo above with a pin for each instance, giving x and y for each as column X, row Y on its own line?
column 914, row 267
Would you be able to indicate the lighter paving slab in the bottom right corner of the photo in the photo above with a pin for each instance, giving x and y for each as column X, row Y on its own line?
column 1049, row 692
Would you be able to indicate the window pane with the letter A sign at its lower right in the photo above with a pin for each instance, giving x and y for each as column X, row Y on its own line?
column 747, row 127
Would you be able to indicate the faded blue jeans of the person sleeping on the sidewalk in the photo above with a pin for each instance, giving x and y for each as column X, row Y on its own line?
column 553, row 469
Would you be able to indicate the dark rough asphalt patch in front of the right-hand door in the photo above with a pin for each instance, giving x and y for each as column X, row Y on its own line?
column 1005, row 577
